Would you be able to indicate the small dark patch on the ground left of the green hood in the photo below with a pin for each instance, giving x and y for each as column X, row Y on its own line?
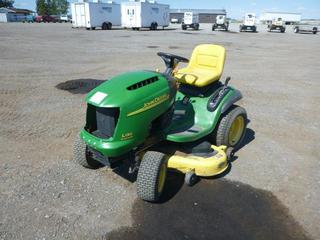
column 79, row 86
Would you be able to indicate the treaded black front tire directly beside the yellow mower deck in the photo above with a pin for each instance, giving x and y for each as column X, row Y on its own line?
column 148, row 178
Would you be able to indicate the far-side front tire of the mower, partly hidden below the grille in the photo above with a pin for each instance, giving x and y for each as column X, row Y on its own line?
column 81, row 157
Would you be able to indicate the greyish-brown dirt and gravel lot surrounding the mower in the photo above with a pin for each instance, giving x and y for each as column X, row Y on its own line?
column 271, row 192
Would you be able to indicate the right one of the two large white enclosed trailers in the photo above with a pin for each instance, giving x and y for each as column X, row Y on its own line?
column 144, row 14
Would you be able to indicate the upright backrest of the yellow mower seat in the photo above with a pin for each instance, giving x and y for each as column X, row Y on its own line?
column 210, row 57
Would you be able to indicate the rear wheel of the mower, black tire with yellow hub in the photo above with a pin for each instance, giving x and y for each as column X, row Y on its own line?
column 232, row 127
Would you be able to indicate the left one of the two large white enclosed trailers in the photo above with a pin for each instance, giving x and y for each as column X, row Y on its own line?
column 91, row 15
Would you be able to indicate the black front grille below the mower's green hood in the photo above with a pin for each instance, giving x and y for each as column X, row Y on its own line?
column 101, row 122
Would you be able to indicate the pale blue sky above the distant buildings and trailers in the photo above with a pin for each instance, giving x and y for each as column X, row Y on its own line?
column 235, row 8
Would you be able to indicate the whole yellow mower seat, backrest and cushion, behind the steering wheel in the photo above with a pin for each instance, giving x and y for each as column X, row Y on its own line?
column 205, row 66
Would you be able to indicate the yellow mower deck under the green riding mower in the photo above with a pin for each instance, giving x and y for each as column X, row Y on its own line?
column 202, row 166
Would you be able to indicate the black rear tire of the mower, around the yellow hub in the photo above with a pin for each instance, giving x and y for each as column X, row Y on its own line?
column 224, row 126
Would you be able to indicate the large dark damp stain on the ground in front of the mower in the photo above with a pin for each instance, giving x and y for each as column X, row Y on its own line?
column 217, row 210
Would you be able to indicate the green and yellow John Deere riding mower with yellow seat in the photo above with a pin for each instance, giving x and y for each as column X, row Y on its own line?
column 183, row 119
